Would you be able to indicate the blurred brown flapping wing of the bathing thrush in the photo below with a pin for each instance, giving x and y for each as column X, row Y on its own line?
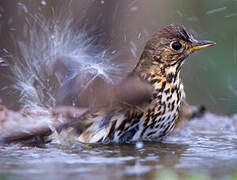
column 86, row 90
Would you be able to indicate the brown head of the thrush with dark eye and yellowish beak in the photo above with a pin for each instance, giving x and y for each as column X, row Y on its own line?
column 170, row 46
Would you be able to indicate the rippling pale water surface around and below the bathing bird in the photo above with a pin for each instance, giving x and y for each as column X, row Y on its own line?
column 205, row 145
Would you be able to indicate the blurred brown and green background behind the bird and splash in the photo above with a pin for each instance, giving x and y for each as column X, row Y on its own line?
column 209, row 76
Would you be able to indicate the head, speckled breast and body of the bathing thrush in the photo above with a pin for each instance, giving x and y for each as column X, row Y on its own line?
column 153, row 114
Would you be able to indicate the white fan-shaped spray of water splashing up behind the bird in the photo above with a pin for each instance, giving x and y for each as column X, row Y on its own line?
column 51, row 54
